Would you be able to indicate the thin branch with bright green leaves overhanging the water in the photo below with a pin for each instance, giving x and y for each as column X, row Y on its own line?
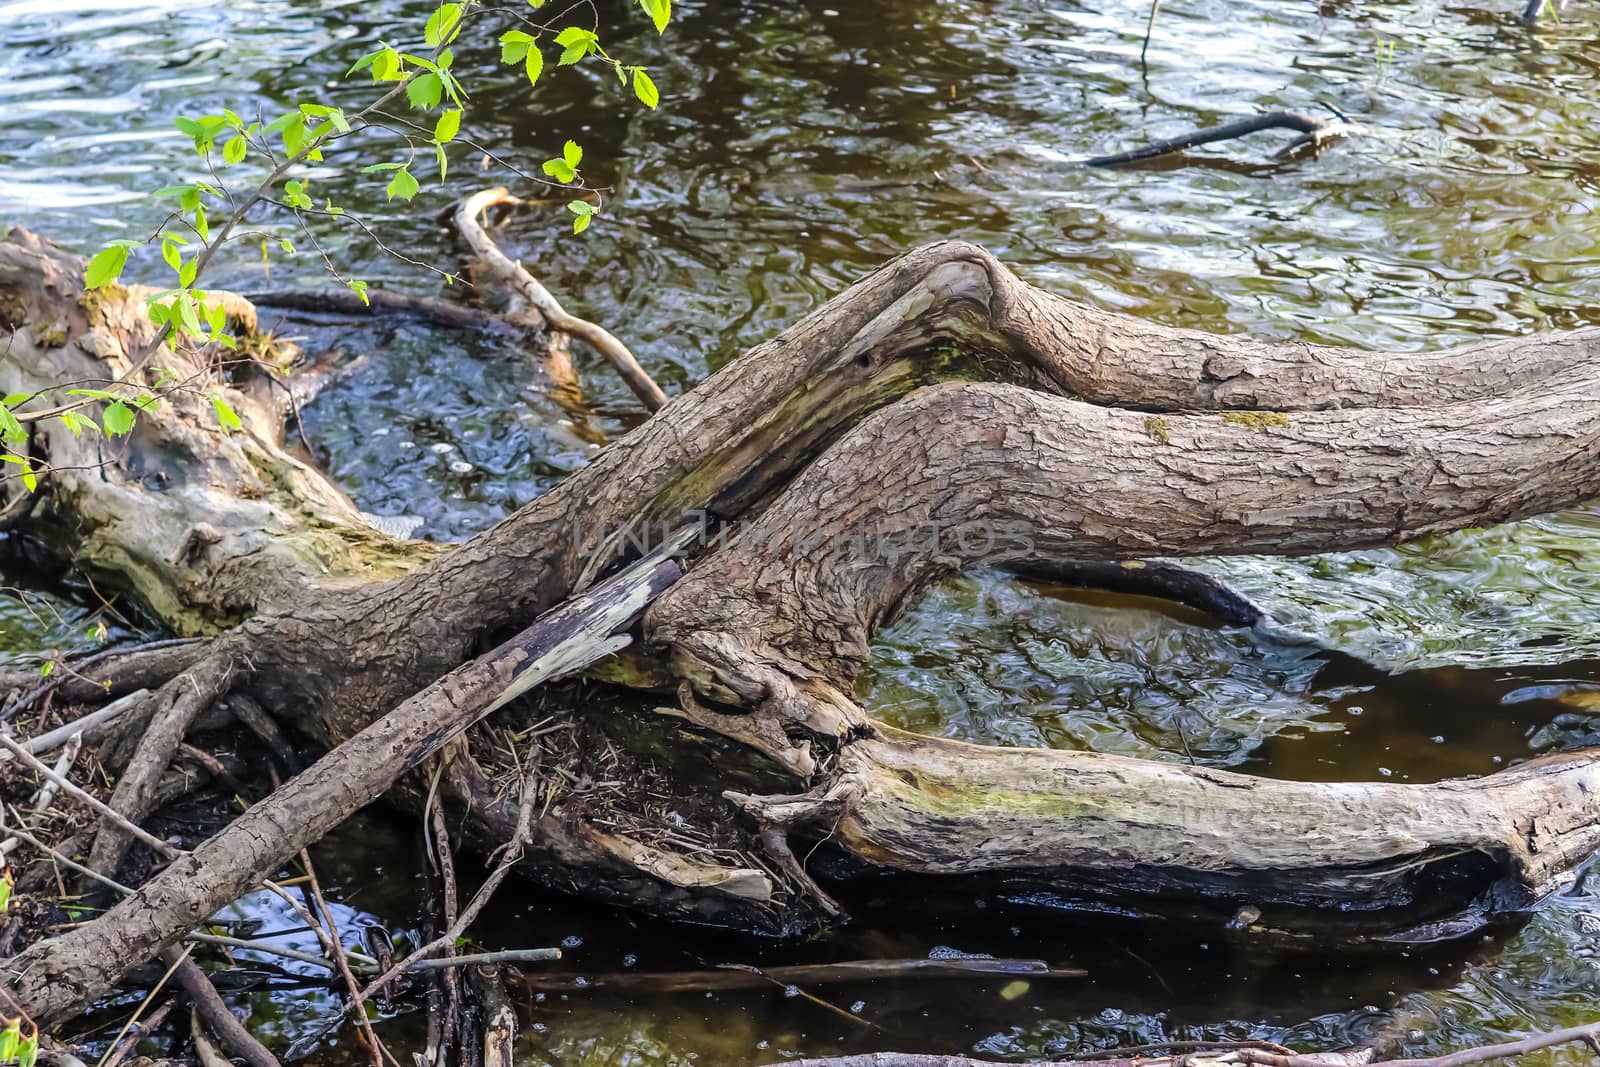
column 186, row 314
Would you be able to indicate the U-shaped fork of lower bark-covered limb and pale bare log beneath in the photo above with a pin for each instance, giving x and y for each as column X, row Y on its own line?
column 966, row 476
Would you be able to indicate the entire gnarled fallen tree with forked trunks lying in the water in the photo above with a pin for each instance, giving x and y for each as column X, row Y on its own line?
column 940, row 415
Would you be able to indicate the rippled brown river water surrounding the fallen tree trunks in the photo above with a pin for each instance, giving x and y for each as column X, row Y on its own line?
column 801, row 145
